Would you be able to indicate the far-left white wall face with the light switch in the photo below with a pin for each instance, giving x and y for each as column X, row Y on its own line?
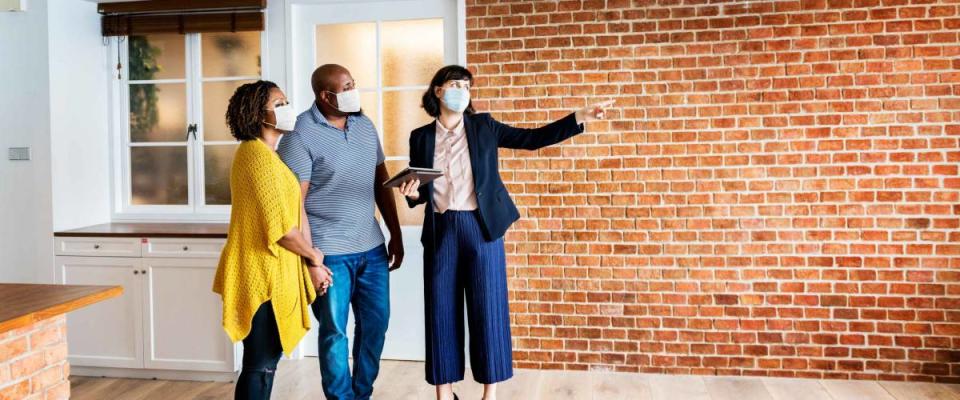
column 25, row 218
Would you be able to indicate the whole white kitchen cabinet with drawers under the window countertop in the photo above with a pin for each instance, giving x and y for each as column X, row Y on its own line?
column 167, row 323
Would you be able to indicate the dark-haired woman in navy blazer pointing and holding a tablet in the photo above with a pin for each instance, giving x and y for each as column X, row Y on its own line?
column 467, row 212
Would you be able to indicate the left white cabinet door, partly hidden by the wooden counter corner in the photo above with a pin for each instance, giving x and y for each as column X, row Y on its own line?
column 109, row 333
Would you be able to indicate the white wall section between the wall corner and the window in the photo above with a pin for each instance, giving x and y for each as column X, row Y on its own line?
column 80, row 137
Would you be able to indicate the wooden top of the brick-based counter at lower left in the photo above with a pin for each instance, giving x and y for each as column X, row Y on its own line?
column 25, row 304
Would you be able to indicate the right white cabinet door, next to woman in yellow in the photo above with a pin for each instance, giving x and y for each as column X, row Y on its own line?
column 183, row 317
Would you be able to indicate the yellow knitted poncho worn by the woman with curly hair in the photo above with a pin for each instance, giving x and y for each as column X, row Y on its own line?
column 253, row 267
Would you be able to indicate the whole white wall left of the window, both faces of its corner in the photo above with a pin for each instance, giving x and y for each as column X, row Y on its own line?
column 52, row 99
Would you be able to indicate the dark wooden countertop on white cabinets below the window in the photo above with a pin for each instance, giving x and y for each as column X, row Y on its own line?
column 126, row 229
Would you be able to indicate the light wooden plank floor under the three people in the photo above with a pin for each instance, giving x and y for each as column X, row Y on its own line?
column 404, row 380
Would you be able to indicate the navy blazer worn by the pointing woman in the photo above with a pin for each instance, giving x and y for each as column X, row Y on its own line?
column 485, row 136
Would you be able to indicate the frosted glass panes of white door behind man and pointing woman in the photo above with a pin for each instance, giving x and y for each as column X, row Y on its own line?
column 392, row 63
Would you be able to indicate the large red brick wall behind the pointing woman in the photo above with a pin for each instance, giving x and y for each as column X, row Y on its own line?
column 776, row 194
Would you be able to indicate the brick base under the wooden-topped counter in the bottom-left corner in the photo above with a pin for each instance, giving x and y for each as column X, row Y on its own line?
column 33, row 362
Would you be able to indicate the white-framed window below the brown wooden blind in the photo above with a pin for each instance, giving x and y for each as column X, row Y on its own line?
column 176, row 149
